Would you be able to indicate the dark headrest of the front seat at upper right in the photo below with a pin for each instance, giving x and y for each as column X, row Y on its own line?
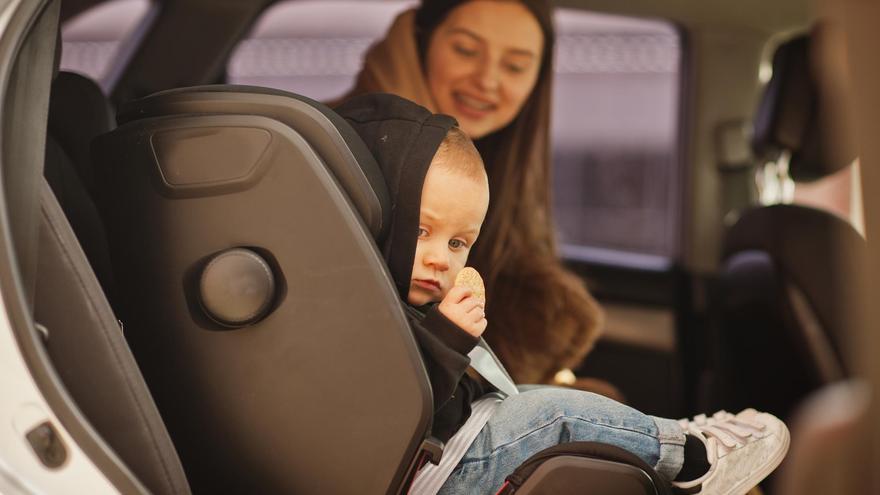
column 789, row 117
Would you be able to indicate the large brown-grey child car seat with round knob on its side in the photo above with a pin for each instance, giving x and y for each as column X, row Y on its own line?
column 242, row 224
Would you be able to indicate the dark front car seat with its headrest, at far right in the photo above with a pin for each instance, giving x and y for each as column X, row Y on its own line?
column 780, row 305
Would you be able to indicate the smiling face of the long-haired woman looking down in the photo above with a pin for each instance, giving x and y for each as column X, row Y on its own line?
column 483, row 62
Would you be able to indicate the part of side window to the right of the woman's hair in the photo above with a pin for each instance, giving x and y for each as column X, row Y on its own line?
column 617, row 185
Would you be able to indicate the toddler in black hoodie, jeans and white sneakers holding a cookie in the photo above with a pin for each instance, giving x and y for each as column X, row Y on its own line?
column 440, row 195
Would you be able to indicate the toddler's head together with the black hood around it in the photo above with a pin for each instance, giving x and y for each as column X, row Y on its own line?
column 436, row 186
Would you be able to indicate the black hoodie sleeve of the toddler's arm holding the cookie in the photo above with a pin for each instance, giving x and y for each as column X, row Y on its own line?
column 444, row 348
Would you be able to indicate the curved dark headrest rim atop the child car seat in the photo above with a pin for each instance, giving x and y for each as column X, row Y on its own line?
column 346, row 156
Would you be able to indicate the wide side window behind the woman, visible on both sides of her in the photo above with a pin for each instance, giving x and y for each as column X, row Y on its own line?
column 615, row 117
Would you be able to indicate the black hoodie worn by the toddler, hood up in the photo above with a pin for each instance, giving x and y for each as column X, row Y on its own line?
column 403, row 137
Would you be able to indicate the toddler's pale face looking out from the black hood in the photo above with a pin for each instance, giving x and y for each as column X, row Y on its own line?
column 452, row 211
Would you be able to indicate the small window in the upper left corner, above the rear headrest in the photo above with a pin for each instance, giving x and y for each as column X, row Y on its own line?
column 97, row 42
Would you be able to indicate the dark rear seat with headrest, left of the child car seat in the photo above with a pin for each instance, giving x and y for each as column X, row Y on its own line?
column 85, row 342
